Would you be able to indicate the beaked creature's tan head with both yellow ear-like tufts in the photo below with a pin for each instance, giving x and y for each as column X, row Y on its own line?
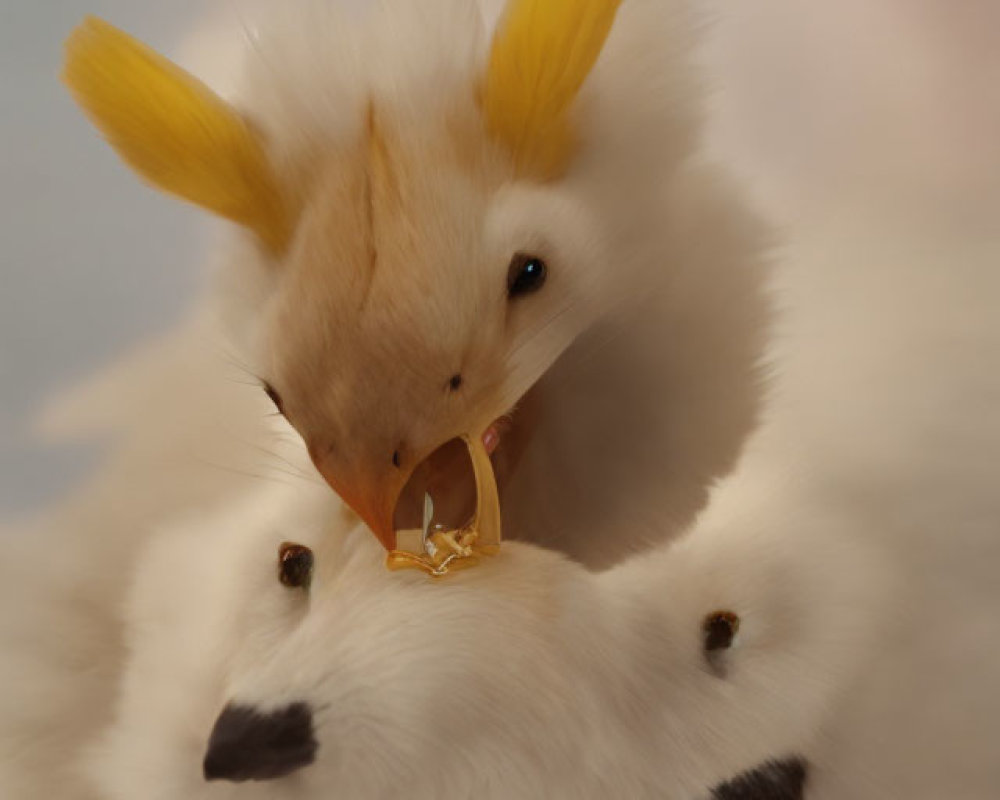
column 423, row 264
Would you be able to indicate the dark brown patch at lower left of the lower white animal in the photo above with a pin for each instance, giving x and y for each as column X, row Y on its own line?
column 250, row 745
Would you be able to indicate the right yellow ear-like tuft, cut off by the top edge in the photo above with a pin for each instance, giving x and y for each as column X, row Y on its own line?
column 542, row 53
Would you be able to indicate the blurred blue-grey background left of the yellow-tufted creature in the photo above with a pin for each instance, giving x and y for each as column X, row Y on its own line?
column 89, row 259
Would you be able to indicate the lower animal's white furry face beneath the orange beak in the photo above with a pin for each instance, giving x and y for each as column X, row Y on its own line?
column 526, row 677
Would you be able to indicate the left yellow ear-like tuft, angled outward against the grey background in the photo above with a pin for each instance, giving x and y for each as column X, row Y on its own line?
column 173, row 130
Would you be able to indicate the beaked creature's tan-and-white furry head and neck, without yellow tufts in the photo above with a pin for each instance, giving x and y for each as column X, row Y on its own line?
column 410, row 217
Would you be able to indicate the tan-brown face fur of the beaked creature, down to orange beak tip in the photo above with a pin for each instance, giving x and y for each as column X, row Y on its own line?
column 388, row 333
